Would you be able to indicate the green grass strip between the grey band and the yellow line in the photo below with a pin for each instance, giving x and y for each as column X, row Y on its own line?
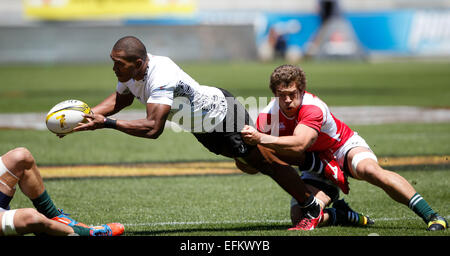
column 107, row 146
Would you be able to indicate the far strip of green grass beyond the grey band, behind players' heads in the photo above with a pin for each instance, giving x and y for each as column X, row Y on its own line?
column 38, row 88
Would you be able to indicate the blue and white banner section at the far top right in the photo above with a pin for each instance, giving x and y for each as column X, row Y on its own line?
column 409, row 32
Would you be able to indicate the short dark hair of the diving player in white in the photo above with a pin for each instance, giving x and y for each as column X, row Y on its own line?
column 133, row 48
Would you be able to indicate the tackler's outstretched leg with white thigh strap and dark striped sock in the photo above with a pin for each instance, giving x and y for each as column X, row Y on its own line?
column 363, row 165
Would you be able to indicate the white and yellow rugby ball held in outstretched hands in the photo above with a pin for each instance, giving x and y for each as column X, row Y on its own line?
column 66, row 115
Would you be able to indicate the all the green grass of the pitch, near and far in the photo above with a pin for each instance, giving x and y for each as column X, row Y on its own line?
column 228, row 204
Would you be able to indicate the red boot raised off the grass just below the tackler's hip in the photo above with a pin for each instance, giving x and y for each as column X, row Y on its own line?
column 333, row 172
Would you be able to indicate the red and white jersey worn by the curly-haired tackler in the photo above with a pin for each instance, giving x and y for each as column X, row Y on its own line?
column 314, row 113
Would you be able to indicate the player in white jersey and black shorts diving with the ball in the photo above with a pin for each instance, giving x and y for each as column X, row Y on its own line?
column 169, row 93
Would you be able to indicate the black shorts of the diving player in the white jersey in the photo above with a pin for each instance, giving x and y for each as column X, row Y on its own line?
column 226, row 138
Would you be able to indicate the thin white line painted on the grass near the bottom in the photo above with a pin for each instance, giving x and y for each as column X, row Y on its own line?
column 285, row 221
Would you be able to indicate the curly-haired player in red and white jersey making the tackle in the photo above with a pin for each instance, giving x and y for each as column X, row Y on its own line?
column 302, row 123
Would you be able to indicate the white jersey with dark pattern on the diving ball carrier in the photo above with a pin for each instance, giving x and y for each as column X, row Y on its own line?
column 197, row 108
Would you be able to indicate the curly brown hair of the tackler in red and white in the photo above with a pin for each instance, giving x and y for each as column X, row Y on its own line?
column 285, row 74
